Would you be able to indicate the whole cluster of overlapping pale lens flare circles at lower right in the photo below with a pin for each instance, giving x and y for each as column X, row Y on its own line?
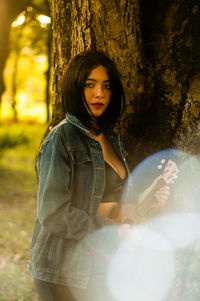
column 162, row 194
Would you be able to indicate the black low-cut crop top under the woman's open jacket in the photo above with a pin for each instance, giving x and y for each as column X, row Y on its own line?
column 113, row 185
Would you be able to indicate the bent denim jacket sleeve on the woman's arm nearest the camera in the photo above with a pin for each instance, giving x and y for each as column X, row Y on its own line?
column 55, row 211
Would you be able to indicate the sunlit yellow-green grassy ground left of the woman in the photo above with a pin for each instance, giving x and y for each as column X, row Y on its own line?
column 19, row 143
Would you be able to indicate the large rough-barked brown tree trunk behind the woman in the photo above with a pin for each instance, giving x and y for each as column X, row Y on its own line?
column 156, row 47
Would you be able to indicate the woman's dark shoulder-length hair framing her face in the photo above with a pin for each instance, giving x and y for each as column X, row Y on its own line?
column 72, row 89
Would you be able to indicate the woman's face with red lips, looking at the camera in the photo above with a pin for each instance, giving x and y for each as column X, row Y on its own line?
column 97, row 91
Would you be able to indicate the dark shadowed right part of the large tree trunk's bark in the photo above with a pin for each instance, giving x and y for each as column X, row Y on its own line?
column 172, row 49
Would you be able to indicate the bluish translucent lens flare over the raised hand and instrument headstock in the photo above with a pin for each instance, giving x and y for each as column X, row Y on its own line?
column 175, row 169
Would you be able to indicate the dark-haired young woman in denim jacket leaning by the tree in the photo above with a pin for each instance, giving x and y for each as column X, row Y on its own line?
column 82, row 169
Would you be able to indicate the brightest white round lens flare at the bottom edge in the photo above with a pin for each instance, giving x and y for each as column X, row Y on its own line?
column 142, row 268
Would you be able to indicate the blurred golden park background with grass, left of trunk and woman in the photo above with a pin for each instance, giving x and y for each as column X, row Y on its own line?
column 24, row 115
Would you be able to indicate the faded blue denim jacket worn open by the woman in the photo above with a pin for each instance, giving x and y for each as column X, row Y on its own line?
column 71, row 171
